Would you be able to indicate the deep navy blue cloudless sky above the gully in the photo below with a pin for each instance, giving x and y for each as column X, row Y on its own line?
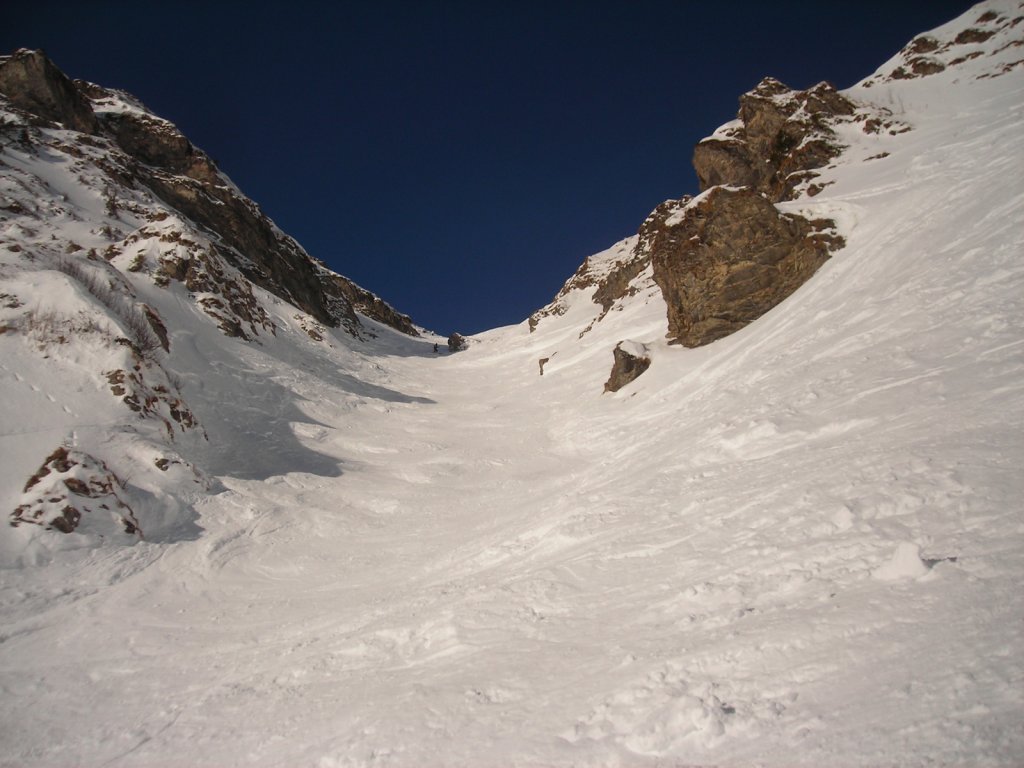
column 460, row 159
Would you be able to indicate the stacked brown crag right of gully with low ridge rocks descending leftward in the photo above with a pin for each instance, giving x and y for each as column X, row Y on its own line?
column 723, row 260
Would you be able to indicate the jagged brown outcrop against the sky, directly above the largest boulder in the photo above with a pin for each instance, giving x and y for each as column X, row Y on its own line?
column 780, row 139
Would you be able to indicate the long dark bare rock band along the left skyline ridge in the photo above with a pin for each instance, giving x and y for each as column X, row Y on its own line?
column 161, row 159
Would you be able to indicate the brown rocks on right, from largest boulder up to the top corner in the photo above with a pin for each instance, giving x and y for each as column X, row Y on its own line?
column 726, row 259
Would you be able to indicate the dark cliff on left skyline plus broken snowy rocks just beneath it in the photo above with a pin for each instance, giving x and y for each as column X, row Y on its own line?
column 147, row 152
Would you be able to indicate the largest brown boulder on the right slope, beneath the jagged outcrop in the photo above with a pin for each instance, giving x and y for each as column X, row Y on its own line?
column 729, row 257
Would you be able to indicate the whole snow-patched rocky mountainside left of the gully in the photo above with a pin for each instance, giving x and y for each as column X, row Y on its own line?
column 121, row 244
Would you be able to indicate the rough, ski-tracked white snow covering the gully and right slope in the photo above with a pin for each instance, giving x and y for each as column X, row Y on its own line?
column 801, row 545
